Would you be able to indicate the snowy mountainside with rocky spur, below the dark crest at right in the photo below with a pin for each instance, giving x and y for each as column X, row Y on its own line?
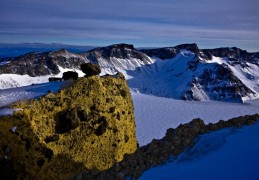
column 180, row 77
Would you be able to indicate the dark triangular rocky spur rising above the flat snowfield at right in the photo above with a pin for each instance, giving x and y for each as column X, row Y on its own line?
column 218, row 84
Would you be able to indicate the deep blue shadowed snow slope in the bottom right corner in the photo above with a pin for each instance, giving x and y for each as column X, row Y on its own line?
column 225, row 154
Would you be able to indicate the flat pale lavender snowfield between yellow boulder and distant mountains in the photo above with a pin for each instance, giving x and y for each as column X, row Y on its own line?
column 154, row 115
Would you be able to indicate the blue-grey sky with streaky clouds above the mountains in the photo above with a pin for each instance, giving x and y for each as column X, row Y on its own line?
column 144, row 23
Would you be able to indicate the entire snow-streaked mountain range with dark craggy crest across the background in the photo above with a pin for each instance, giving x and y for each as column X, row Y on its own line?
column 180, row 72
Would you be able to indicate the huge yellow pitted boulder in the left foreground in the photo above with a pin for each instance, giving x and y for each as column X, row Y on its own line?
column 88, row 125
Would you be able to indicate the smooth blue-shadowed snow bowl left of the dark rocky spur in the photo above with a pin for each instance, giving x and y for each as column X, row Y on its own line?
column 164, row 78
